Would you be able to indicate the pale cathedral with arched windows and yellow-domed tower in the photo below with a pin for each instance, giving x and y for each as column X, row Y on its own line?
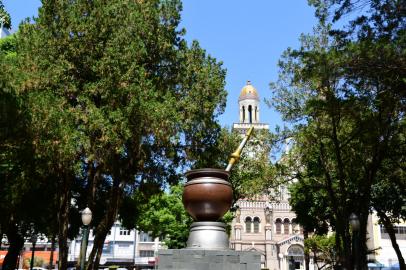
column 261, row 225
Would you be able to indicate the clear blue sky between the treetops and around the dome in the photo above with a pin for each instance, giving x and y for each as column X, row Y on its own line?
column 248, row 36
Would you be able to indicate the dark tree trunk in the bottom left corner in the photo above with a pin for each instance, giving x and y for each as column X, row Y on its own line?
column 16, row 242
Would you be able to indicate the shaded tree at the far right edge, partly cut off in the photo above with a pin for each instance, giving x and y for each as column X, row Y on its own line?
column 376, row 38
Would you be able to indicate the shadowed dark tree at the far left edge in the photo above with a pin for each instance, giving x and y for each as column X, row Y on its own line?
column 22, row 209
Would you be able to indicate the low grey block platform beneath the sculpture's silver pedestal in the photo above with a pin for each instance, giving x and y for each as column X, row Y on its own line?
column 201, row 259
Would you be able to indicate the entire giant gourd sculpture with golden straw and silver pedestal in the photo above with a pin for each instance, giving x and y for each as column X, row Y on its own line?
column 207, row 196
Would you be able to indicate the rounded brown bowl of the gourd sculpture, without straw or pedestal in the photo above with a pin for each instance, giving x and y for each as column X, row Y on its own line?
column 207, row 195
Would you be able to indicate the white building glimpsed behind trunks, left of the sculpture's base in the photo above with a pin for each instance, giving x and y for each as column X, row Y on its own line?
column 122, row 247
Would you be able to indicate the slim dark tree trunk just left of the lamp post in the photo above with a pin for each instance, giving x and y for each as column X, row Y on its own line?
column 63, row 219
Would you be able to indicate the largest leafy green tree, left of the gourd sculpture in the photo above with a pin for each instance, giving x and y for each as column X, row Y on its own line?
column 118, row 103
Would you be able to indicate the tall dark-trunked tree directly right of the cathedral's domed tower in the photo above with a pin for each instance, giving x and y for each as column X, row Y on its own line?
column 347, row 117
